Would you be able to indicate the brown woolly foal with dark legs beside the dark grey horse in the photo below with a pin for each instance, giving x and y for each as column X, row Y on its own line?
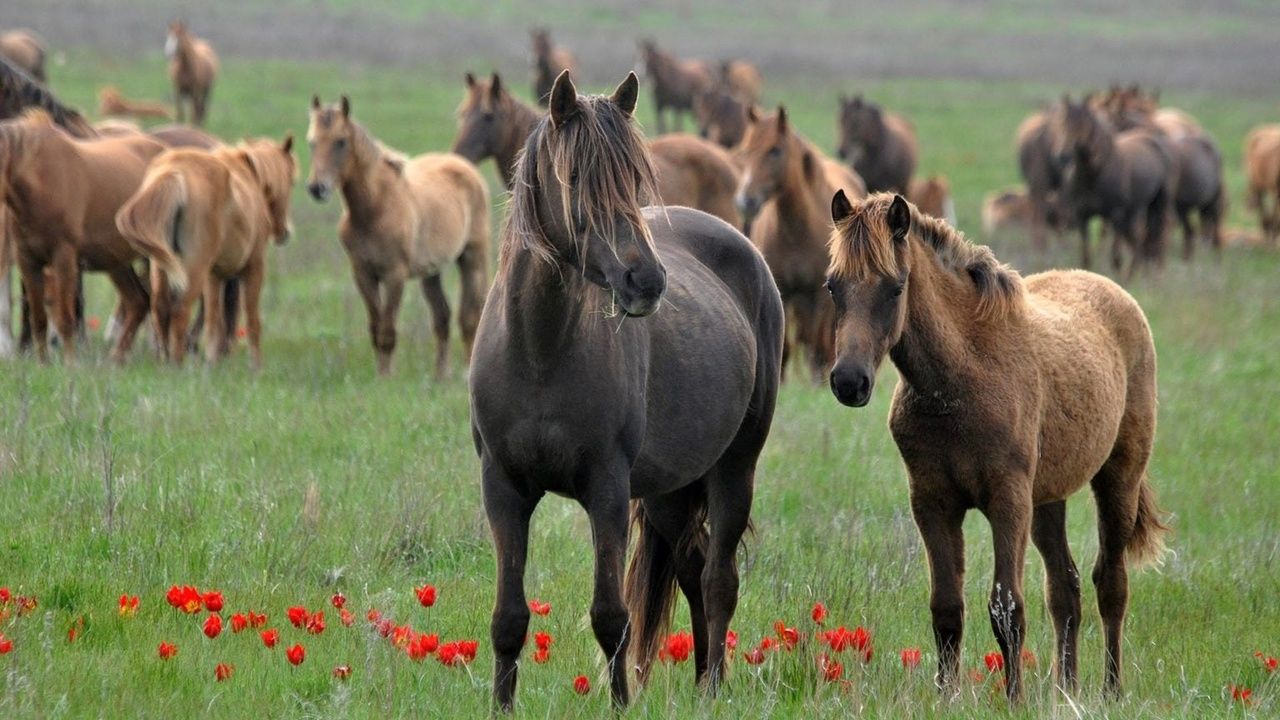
column 1012, row 397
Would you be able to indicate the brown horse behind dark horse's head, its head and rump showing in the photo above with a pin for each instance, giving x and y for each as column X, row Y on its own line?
column 692, row 172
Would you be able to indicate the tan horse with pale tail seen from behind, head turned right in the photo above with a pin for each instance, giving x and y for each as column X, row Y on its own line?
column 204, row 218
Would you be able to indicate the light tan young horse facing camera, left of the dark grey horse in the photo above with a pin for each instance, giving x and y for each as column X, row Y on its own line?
column 403, row 218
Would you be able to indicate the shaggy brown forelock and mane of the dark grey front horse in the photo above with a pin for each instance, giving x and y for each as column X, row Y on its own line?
column 615, row 179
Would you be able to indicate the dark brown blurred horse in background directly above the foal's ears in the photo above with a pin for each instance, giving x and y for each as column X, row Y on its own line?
column 880, row 145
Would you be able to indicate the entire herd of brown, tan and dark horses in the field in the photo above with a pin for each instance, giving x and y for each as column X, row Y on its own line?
column 630, row 348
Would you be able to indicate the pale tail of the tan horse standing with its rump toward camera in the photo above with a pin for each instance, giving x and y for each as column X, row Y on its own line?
column 152, row 222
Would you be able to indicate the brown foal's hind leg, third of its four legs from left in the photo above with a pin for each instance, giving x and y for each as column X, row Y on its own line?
column 1063, row 587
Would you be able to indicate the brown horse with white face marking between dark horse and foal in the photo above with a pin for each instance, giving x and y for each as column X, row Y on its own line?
column 784, row 198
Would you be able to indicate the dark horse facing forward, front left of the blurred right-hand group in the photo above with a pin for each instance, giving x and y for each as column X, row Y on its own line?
column 1122, row 177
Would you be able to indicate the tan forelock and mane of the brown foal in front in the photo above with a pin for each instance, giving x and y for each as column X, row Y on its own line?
column 862, row 245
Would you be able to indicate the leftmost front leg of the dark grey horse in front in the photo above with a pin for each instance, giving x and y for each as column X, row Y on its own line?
column 509, row 514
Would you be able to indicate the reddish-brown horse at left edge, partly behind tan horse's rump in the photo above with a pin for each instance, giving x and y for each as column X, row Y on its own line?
column 63, row 194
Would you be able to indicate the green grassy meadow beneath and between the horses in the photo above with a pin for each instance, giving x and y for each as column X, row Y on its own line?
column 314, row 477
